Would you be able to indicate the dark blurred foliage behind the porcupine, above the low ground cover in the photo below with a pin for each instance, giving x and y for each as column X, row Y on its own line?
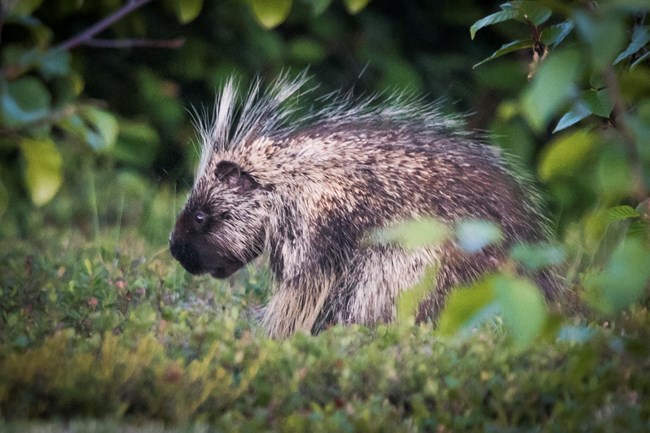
column 95, row 97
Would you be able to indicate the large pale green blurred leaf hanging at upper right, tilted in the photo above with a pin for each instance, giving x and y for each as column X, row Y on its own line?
column 551, row 88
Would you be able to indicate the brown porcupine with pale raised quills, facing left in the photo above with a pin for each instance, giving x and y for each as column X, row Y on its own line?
column 307, row 189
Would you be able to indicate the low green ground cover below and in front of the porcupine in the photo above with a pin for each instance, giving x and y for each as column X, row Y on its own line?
column 102, row 331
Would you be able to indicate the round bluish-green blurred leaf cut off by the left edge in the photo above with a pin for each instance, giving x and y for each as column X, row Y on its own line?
column 23, row 101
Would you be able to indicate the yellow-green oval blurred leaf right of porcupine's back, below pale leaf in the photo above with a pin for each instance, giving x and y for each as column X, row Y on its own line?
column 566, row 153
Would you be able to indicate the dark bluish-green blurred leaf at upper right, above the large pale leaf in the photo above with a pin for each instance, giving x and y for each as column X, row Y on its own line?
column 605, row 36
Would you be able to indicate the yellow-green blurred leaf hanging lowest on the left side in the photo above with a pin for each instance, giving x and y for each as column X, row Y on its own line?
column 43, row 173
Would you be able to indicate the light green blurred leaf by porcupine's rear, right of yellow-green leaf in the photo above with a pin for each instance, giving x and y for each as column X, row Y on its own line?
column 523, row 308
